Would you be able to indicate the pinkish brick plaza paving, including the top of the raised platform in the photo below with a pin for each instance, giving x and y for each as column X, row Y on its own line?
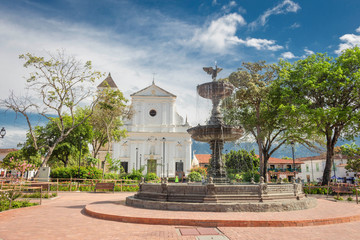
column 63, row 218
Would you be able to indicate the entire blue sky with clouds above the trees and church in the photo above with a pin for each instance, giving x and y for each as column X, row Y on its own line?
column 174, row 39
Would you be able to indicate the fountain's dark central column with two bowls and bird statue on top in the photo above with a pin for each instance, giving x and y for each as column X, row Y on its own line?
column 215, row 132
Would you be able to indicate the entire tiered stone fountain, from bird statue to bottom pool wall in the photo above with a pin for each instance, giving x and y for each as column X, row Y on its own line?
column 217, row 194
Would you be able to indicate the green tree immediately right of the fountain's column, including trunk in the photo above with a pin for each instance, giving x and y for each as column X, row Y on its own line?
column 250, row 107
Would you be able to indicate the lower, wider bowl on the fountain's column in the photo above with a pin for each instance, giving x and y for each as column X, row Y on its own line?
column 206, row 133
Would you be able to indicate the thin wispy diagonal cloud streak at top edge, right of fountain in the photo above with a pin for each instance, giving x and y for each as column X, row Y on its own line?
column 285, row 7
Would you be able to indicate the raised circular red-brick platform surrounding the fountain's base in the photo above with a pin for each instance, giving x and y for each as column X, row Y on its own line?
column 326, row 212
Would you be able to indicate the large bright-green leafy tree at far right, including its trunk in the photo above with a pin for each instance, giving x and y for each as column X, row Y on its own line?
column 320, row 96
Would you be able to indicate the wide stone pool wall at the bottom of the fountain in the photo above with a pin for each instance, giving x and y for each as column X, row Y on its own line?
column 221, row 198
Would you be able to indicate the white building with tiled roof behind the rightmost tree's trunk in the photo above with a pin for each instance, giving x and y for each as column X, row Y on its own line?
column 313, row 168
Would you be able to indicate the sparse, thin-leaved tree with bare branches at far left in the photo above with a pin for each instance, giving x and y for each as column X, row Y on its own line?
column 61, row 83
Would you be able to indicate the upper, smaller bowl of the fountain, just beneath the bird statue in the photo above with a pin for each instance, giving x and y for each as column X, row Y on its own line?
column 211, row 90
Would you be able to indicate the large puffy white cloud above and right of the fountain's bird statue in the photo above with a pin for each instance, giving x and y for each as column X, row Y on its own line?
column 221, row 35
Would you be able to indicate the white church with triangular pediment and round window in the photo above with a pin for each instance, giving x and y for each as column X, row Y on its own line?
column 157, row 138
